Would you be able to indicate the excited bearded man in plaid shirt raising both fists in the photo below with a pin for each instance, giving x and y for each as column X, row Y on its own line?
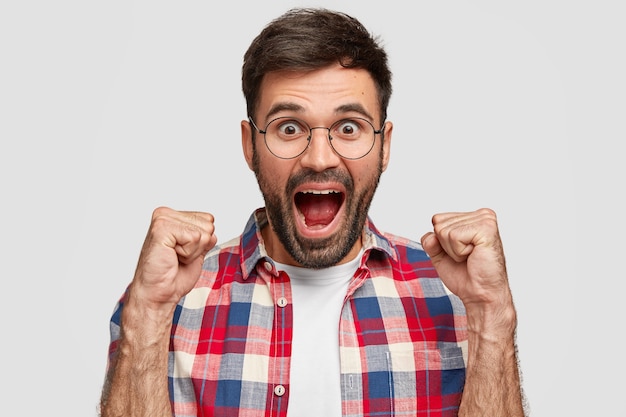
column 312, row 311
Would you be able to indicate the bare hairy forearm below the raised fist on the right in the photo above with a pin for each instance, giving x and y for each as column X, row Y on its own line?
column 492, row 385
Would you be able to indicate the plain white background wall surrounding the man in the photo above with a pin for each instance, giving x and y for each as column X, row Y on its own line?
column 110, row 109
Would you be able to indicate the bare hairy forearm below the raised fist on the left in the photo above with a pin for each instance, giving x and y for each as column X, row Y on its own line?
column 137, row 382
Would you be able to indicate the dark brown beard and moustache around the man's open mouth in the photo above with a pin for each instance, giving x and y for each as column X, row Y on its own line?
column 316, row 253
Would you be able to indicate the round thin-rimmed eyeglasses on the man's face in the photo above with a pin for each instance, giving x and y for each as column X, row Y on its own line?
column 288, row 137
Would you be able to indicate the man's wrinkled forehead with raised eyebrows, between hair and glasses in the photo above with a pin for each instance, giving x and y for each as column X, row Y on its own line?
column 324, row 93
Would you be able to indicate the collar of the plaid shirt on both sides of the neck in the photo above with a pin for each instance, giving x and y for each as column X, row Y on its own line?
column 253, row 248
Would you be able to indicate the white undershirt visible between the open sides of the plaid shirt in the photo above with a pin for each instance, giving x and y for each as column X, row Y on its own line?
column 315, row 385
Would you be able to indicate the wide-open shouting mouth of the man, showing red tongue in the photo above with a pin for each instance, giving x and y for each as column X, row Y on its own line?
column 318, row 208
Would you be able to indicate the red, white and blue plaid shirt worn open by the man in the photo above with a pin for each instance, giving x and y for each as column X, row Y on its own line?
column 403, row 335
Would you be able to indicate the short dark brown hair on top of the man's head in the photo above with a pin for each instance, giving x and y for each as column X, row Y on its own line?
column 307, row 39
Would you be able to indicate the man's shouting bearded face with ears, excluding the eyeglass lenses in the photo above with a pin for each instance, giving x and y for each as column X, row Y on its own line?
column 316, row 203
